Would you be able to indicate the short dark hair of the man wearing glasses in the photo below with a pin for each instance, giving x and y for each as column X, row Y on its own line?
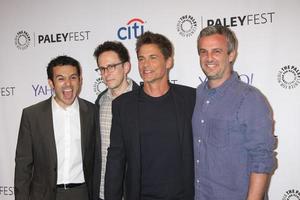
column 114, row 46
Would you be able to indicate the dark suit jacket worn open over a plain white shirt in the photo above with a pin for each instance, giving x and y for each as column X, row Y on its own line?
column 36, row 156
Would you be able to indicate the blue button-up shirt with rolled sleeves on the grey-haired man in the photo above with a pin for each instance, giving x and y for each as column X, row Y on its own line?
column 233, row 137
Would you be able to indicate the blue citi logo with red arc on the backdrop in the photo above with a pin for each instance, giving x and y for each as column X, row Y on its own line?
column 133, row 29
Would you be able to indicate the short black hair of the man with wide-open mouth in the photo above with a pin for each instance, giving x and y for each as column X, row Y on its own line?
column 61, row 61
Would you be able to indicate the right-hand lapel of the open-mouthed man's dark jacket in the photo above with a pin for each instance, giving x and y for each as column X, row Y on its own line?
column 83, row 109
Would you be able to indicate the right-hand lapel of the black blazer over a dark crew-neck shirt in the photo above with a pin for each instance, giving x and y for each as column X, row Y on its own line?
column 180, row 114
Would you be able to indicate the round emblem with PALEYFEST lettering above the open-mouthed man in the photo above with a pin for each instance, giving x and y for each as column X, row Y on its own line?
column 24, row 39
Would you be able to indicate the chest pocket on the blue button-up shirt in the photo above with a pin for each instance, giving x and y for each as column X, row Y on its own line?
column 218, row 133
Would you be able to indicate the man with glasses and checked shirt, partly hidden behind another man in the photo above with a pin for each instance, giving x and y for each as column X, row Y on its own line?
column 113, row 63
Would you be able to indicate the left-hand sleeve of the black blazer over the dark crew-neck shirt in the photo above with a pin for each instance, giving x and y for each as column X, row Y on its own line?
column 115, row 165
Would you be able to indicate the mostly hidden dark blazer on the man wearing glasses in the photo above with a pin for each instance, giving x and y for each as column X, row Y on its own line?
column 98, row 166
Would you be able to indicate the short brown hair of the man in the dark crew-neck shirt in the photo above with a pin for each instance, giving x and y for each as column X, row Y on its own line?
column 163, row 43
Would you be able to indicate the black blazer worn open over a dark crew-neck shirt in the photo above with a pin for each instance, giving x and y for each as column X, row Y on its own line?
column 124, row 151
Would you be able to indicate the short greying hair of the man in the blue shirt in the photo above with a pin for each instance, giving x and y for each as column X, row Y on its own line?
column 232, row 42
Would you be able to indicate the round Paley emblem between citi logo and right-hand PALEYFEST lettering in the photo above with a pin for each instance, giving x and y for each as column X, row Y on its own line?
column 187, row 25
